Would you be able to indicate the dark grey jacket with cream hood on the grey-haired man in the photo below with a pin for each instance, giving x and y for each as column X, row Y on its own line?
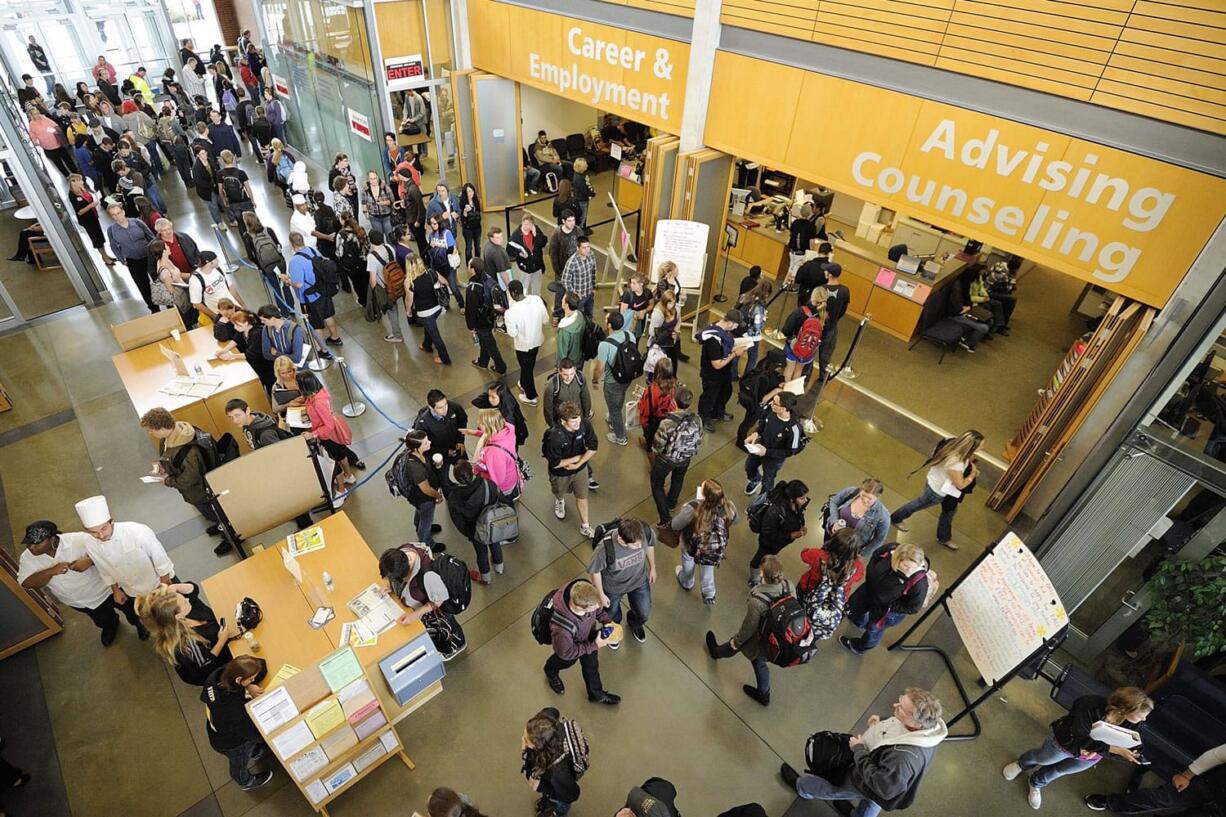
column 891, row 764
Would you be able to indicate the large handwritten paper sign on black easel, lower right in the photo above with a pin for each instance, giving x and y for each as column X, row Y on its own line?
column 1006, row 609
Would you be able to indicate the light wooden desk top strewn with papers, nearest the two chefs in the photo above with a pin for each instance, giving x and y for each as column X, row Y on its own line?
column 285, row 636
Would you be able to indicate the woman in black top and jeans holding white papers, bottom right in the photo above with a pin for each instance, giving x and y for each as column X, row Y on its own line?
column 1070, row 749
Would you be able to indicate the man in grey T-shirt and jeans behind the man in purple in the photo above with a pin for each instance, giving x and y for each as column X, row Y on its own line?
column 625, row 565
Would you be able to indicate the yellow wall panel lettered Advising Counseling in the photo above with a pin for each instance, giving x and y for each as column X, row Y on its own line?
column 818, row 127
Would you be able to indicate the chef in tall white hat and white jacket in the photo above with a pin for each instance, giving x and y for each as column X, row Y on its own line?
column 128, row 556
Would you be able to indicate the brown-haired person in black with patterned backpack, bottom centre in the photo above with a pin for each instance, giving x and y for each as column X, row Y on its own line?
column 550, row 762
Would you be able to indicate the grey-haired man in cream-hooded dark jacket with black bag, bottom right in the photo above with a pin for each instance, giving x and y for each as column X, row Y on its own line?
column 883, row 767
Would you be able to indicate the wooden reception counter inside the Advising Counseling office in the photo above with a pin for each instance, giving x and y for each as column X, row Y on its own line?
column 894, row 299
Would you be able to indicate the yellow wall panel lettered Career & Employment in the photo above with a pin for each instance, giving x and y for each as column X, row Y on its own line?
column 506, row 40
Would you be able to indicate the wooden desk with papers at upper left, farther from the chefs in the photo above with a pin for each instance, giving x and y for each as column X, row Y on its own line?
column 145, row 371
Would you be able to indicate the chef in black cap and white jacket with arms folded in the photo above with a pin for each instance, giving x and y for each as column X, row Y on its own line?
column 58, row 564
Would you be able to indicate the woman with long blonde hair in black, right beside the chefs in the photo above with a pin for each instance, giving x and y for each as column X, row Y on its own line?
column 185, row 631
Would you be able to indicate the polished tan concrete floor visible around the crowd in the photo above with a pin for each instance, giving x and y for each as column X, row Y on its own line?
column 113, row 732
